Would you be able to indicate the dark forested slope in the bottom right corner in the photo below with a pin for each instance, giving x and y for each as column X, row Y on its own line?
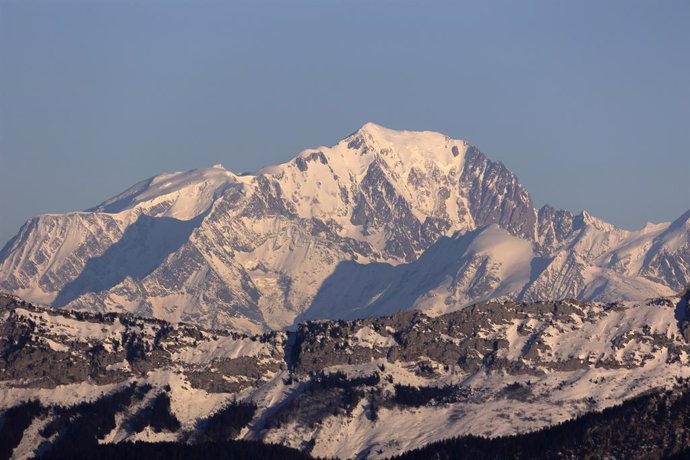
column 654, row 425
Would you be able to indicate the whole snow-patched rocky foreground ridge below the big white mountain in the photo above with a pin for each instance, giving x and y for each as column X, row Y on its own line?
column 369, row 387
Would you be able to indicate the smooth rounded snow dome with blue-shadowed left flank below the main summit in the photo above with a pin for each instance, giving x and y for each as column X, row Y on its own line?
column 474, row 266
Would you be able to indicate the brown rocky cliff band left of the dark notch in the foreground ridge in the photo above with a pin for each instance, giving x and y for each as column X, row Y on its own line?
column 47, row 348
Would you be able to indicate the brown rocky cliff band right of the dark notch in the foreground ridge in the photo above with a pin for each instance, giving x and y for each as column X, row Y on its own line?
column 520, row 338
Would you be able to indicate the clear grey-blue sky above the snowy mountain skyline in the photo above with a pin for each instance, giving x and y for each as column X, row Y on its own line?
column 587, row 101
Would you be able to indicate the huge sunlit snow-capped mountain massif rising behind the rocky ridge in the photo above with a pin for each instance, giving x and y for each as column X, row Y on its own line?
column 381, row 221
